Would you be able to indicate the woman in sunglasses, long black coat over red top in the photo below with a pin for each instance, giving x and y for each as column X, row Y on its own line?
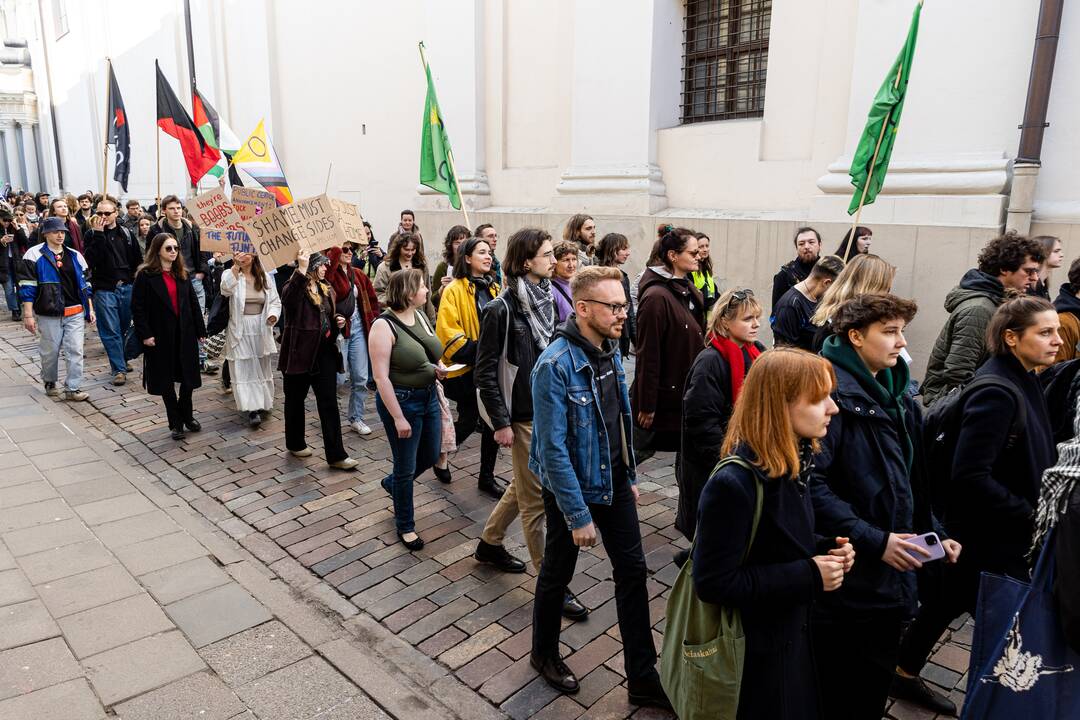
column 169, row 324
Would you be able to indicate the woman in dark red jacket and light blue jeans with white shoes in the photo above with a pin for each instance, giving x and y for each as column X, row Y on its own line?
column 356, row 302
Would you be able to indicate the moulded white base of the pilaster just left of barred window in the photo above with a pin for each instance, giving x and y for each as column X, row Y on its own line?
column 612, row 191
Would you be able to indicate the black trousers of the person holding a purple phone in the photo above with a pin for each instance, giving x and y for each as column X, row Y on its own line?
column 857, row 658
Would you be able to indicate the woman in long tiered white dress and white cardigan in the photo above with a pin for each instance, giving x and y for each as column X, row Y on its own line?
column 254, row 308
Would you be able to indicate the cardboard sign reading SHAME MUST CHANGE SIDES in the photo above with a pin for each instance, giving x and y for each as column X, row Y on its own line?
column 312, row 225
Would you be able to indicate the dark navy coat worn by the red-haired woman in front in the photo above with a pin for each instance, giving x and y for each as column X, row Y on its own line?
column 775, row 589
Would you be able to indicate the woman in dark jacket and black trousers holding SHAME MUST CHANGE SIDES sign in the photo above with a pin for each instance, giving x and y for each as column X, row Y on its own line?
column 310, row 360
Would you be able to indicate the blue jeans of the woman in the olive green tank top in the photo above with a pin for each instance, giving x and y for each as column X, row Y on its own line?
column 413, row 455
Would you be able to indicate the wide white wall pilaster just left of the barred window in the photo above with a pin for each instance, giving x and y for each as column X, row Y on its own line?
column 622, row 96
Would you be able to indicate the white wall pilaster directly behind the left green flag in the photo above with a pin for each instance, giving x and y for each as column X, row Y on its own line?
column 455, row 50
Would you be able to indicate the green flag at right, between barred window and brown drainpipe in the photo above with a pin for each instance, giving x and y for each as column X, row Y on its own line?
column 868, row 173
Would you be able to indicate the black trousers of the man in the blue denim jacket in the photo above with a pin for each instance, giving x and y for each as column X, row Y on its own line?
column 619, row 528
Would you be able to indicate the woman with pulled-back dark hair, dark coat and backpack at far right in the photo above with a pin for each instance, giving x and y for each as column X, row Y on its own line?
column 994, row 490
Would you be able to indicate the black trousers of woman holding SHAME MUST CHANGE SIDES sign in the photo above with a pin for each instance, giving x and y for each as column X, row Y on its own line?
column 323, row 382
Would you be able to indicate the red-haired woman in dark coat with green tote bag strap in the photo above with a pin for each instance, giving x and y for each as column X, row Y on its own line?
column 775, row 580
